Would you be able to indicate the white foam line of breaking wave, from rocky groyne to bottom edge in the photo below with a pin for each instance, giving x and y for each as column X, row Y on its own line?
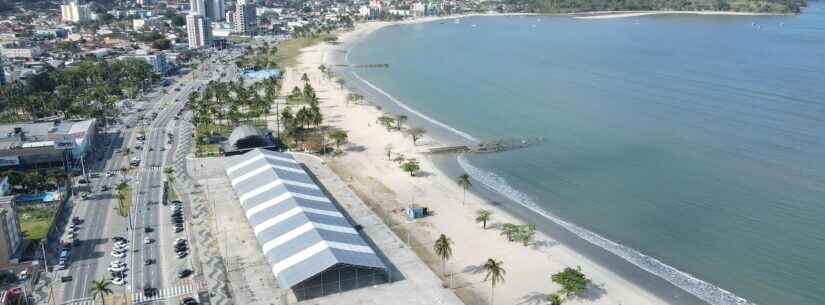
column 703, row 290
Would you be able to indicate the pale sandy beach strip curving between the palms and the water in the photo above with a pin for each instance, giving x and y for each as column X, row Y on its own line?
column 380, row 182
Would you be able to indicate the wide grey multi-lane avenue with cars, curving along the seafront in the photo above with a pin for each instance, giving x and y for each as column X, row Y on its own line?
column 149, row 217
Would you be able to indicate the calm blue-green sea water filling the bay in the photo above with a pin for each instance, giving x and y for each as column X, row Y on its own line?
column 693, row 147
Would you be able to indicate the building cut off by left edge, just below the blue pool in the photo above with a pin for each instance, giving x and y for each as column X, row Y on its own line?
column 11, row 236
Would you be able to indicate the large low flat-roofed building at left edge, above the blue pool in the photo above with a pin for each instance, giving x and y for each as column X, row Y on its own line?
column 46, row 144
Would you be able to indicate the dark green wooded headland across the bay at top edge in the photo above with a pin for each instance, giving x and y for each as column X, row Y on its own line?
column 568, row 6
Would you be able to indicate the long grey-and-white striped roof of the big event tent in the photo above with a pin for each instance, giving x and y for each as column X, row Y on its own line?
column 300, row 230
